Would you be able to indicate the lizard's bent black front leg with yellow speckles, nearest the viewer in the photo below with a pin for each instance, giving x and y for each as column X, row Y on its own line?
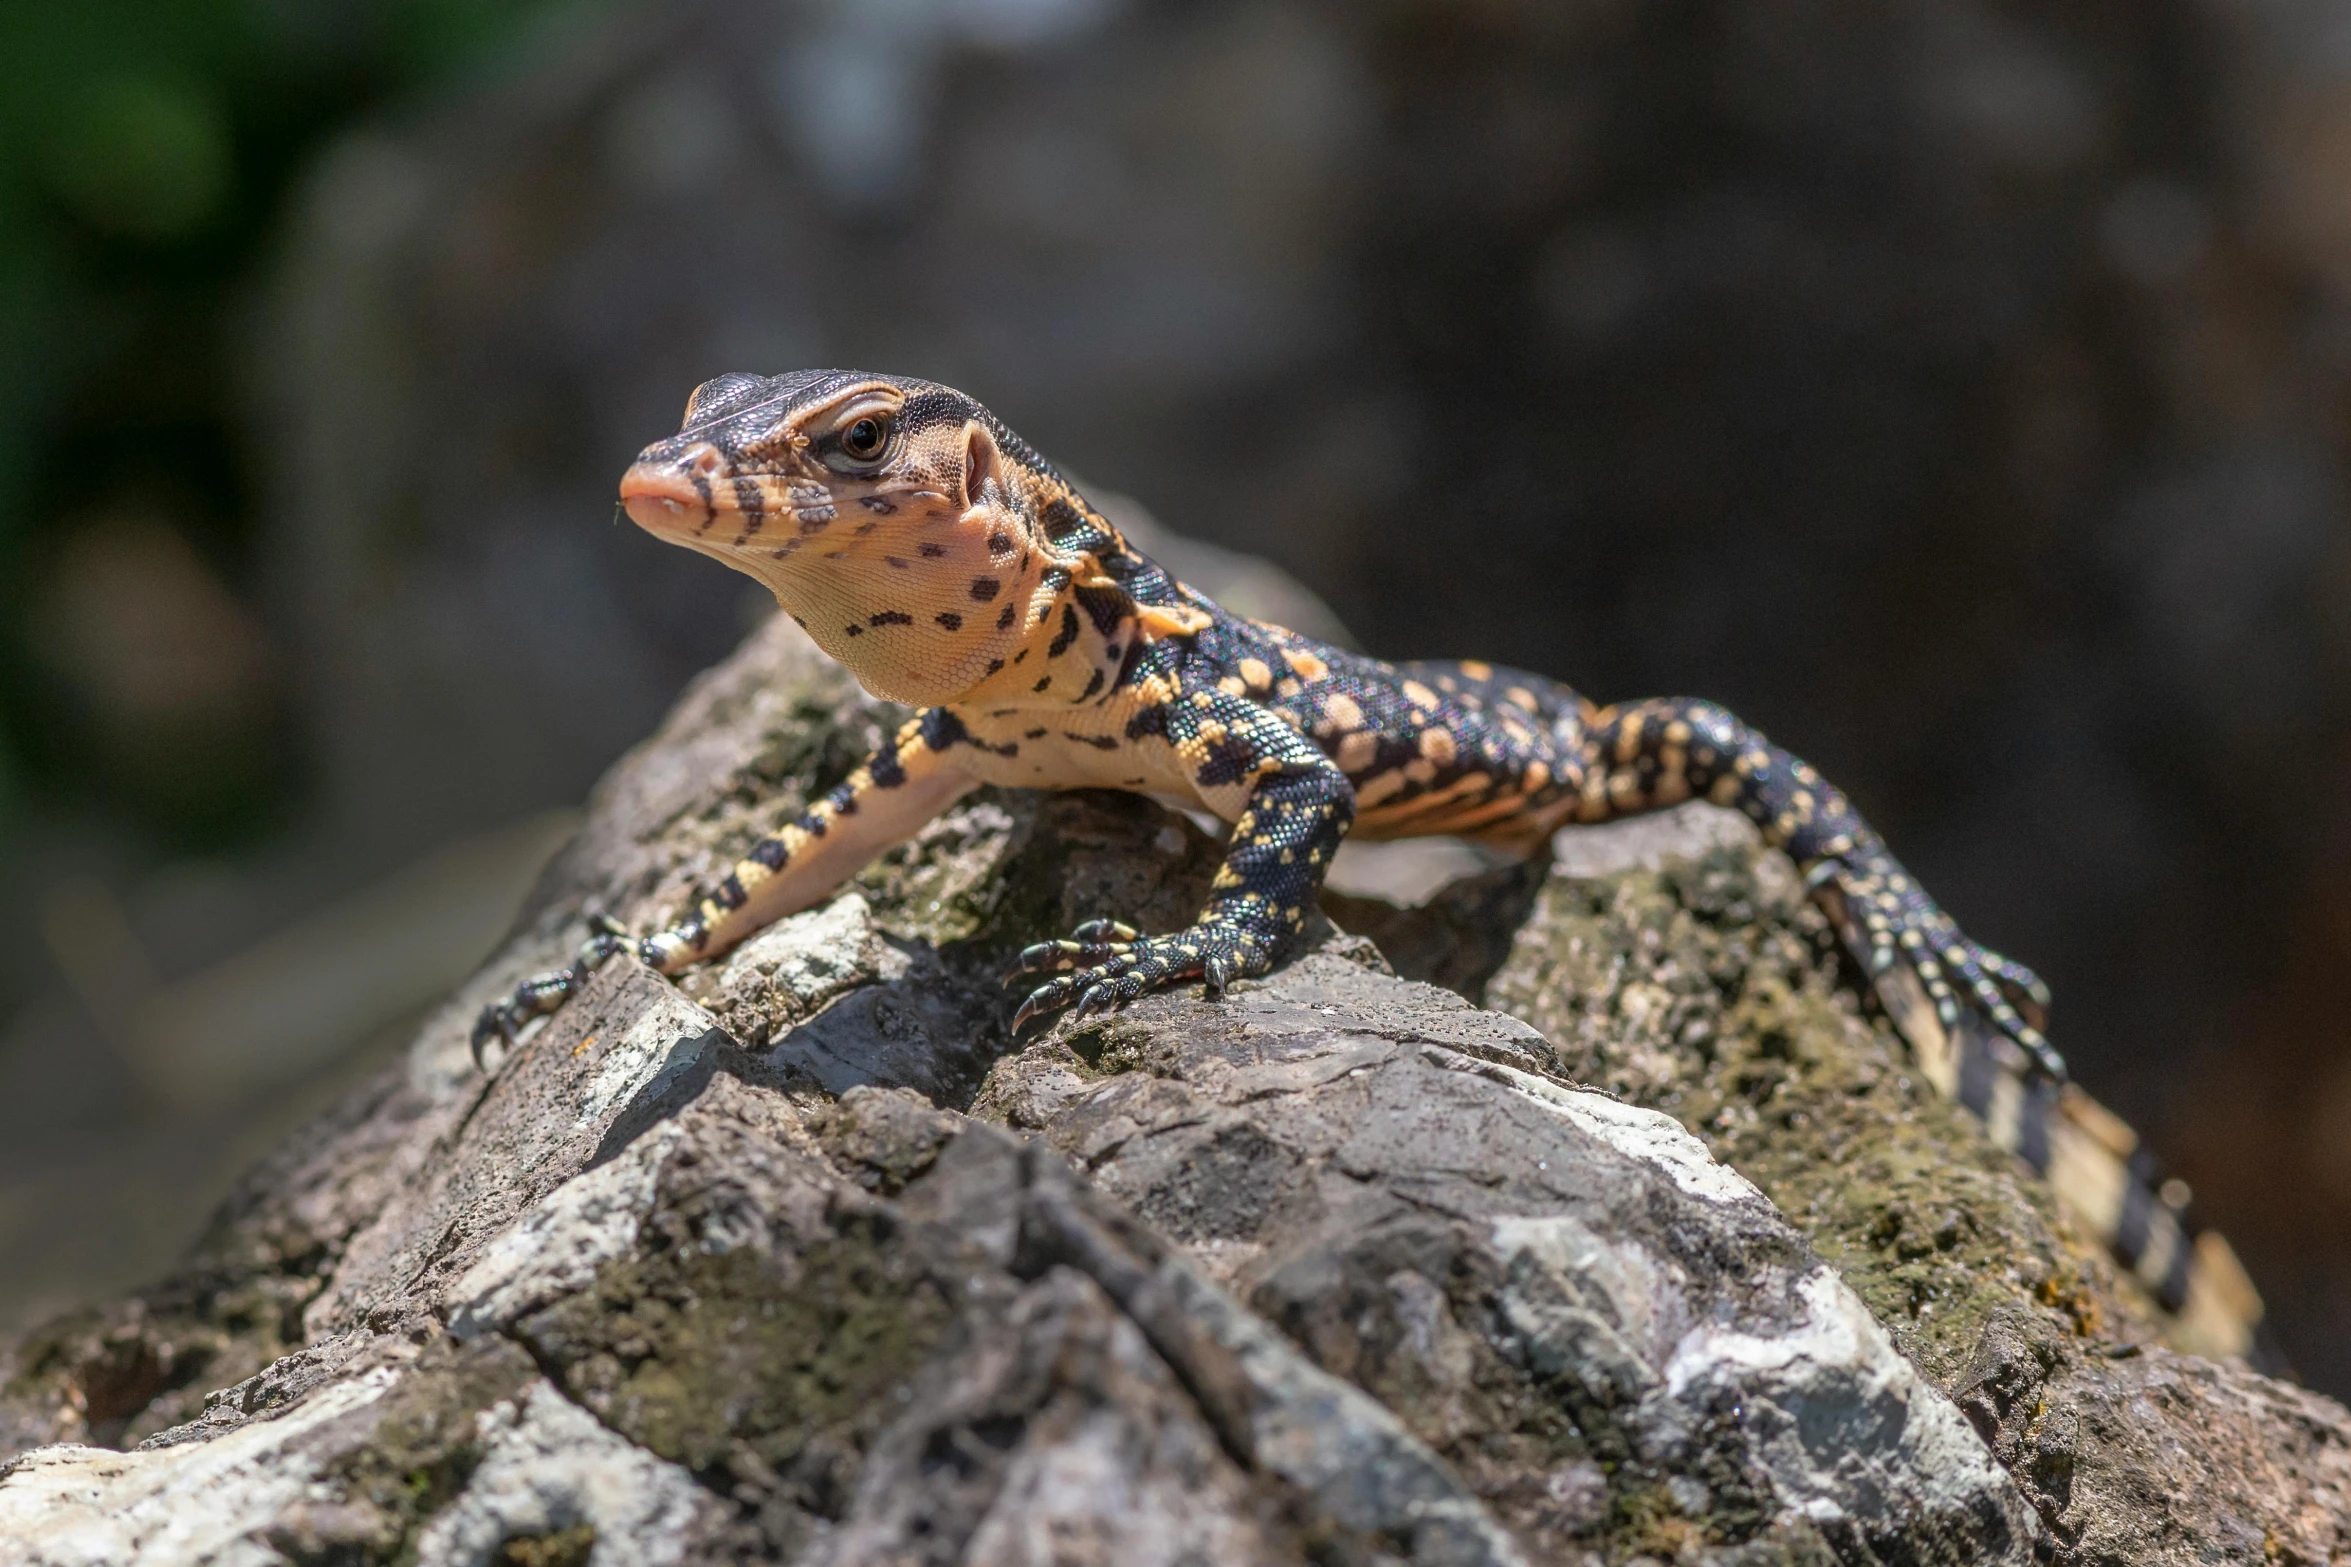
column 1273, row 870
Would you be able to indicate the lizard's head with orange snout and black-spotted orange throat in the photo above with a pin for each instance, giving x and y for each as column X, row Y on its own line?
column 895, row 520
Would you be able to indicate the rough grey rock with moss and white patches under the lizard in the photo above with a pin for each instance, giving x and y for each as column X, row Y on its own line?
column 810, row 1260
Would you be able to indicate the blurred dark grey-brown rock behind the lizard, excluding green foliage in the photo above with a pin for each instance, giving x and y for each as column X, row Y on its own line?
column 1955, row 391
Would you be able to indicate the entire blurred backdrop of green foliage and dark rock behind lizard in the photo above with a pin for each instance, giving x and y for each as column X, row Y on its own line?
column 1953, row 389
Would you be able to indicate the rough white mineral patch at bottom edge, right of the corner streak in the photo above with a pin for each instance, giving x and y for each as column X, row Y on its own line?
column 551, row 1467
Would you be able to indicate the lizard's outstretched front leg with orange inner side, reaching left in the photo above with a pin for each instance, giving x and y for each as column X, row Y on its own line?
column 885, row 802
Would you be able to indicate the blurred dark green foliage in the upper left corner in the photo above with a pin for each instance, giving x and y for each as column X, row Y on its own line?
column 147, row 152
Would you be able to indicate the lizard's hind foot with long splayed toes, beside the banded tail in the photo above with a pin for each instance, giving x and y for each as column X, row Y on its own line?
column 1901, row 924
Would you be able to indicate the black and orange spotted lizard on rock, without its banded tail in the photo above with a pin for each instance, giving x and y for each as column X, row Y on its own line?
column 951, row 567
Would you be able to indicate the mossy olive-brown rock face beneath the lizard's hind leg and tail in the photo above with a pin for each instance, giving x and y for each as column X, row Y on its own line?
column 1717, row 993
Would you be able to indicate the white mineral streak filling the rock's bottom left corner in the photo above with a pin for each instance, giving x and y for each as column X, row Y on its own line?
column 199, row 1502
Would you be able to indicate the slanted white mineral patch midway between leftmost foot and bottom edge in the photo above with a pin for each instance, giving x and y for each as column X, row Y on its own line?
column 561, row 1244
